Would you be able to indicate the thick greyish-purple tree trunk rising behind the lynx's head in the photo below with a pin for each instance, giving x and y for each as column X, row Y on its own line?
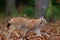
column 41, row 7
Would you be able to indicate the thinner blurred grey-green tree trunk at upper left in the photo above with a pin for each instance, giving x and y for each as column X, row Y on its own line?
column 11, row 7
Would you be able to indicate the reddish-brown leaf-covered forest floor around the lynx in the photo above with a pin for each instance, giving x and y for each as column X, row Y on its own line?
column 52, row 29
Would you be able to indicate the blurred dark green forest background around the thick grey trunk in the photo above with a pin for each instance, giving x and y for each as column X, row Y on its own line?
column 26, row 8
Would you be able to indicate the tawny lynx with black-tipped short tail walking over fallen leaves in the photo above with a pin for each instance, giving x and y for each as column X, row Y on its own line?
column 26, row 24
